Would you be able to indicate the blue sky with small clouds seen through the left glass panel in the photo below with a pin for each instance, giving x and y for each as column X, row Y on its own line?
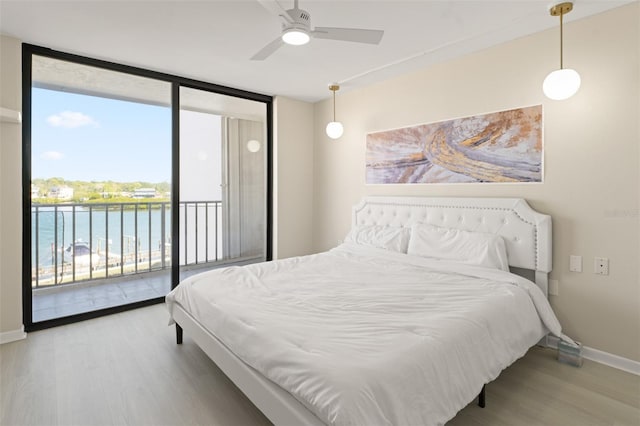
column 88, row 138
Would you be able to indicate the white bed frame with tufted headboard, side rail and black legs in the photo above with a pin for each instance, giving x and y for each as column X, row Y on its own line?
column 527, row 235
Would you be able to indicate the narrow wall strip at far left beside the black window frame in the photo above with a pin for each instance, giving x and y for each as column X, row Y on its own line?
column 10, row 192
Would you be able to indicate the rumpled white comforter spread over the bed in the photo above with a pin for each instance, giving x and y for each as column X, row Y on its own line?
column 370, row 337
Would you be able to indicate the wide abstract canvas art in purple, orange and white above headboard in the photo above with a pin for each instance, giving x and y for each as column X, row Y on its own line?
column 503, row 146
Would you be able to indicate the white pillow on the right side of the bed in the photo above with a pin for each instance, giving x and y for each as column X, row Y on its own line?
column 473, row 248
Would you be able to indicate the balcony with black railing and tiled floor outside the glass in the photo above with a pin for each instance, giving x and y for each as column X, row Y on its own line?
column 92, row 256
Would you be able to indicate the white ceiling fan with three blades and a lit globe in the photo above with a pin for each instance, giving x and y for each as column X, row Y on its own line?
column 296, row 30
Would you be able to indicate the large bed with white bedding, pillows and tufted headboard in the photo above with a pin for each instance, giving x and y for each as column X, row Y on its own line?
column 379, row 333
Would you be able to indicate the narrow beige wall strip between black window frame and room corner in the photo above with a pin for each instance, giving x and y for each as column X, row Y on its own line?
column 293, row 178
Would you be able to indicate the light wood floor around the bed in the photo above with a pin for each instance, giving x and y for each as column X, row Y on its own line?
column 126, row 369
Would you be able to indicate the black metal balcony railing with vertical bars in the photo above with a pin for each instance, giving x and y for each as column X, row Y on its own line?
column 82, row 242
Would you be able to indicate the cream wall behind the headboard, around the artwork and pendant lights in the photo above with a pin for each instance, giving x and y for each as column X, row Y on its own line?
column 591, row 186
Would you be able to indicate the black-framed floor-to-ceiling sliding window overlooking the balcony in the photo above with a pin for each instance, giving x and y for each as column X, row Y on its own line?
column 134, row 180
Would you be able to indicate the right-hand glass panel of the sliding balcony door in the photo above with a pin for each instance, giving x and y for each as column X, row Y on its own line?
column 223, row 180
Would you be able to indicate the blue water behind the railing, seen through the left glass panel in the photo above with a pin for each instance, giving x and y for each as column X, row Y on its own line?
column 124, row 236
